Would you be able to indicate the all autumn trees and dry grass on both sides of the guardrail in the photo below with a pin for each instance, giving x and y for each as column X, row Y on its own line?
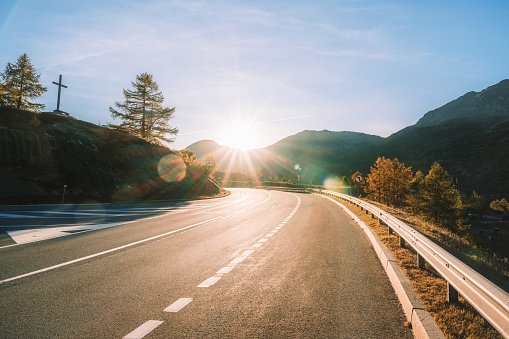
column 470, row 228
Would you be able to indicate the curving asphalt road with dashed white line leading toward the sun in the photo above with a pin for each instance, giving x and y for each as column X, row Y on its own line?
column 255, row 264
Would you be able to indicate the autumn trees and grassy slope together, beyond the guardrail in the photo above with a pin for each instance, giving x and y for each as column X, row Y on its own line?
column 431, row 203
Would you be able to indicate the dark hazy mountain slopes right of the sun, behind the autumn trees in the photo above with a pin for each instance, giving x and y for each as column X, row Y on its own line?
column 468, row 136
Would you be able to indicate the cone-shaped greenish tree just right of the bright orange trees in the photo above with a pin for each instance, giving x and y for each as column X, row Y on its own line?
column 440, row 201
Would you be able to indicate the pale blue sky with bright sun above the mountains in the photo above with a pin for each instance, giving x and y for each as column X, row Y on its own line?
column 247, row 74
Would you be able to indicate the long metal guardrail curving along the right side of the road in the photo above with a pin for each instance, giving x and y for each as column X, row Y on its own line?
column 487, row 298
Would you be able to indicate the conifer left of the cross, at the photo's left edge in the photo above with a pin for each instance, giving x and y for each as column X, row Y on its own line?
column 20, row 82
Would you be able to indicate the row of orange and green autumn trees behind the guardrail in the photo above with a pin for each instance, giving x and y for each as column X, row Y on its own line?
column 434, row 196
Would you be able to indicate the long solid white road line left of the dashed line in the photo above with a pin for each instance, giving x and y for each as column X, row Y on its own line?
column 121, row 247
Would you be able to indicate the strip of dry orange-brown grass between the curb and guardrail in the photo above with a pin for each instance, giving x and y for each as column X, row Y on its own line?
column 456, row 320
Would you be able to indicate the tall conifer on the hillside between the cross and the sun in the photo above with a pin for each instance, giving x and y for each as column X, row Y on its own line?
column 142, row 113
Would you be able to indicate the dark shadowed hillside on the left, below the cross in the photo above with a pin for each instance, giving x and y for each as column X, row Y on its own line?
column 40, row 153
